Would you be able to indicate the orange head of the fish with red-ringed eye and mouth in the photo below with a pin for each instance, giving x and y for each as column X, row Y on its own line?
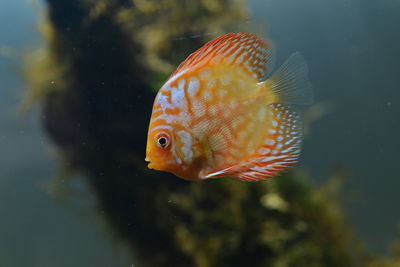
column 173, row 149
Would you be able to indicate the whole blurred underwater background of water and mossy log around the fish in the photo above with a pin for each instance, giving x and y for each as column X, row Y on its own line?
column 76, row 78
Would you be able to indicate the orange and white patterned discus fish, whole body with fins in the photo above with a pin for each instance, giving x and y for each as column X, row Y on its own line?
column 218, row 115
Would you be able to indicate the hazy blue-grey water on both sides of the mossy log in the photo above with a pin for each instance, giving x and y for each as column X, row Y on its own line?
column 352, row 48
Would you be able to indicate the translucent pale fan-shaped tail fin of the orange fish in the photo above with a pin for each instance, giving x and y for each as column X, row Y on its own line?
column 290, row 82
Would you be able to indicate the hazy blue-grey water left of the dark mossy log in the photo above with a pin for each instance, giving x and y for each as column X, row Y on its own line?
column 35, row 230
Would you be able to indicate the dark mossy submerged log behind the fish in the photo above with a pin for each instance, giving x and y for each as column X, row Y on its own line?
column 96, row 83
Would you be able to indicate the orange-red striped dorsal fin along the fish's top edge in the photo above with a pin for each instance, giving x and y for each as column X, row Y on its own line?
column 242, row 49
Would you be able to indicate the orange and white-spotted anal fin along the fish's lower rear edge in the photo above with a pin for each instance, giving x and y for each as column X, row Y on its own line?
column 279, row 151
